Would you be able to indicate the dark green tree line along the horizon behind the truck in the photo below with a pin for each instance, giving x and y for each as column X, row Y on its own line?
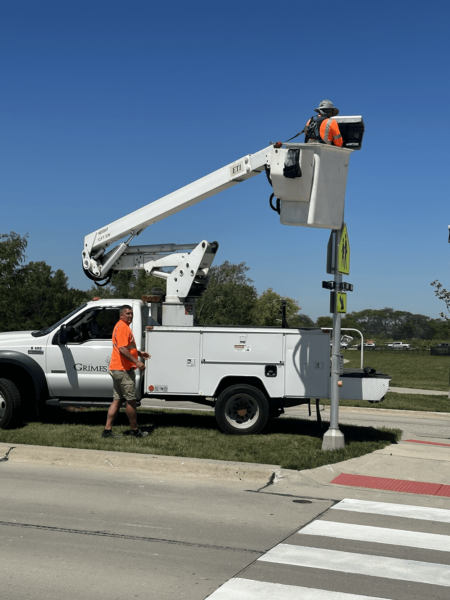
column 32, row 296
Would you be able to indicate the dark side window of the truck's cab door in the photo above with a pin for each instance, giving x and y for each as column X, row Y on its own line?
column 94, row 324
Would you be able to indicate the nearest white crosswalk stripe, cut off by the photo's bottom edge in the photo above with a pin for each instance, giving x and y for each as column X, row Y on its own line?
column 247, row 589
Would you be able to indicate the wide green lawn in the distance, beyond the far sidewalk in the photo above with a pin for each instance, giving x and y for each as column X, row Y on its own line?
column 406, row 370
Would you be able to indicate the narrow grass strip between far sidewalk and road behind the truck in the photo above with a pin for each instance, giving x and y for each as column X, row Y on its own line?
column 403, row 402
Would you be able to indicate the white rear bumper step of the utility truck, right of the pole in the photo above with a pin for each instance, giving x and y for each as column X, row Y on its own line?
column 360, row 385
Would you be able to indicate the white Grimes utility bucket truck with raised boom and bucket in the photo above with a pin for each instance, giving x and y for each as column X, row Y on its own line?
column 247, row 373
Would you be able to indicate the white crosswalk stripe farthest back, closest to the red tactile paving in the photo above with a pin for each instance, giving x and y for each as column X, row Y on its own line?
column 424, row 513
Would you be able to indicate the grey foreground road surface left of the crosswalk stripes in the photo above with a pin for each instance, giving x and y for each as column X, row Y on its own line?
column 74, row 534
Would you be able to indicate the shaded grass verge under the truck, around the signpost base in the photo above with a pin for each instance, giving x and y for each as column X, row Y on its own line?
column 291, row 443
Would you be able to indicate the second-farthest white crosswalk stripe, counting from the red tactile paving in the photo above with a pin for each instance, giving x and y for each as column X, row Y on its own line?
column 379, row 535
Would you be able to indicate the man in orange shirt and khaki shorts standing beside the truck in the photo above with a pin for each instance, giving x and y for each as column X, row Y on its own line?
column 124, row 362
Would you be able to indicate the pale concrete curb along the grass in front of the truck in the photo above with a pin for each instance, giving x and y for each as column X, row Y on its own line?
column 145, row 463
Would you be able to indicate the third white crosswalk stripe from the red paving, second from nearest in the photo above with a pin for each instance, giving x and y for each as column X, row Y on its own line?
column 361, row 564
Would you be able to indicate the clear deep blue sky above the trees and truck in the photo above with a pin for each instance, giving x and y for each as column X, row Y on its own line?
column 108, row 105
